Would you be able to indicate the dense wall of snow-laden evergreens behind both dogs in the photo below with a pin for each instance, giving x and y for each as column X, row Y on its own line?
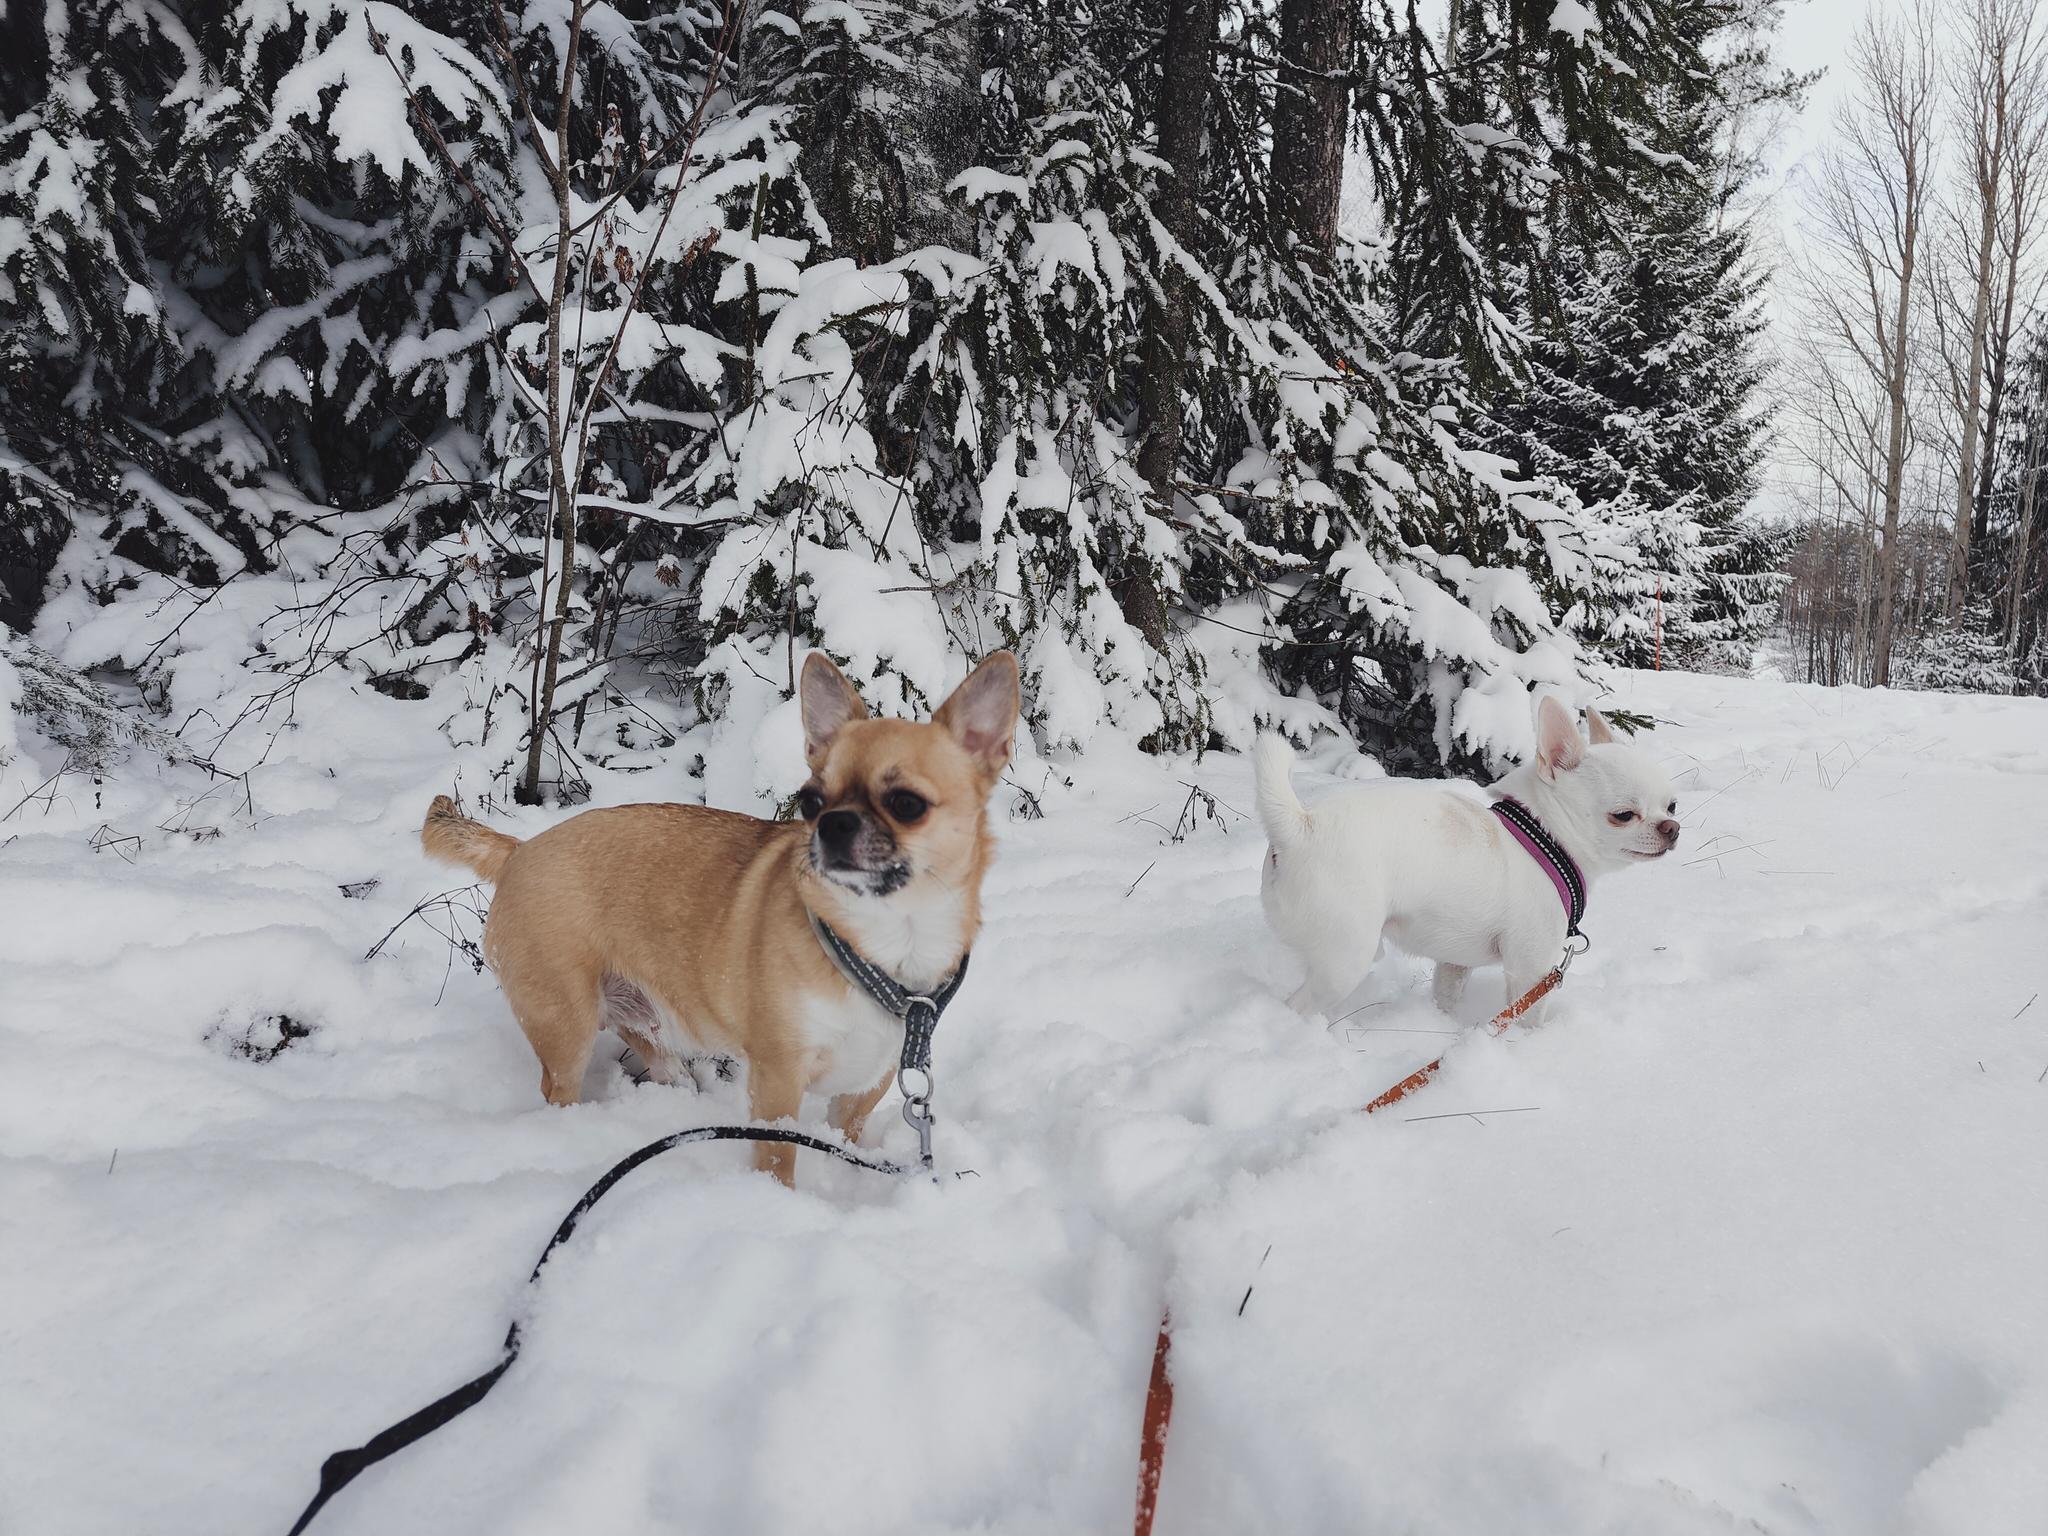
column 574, row 368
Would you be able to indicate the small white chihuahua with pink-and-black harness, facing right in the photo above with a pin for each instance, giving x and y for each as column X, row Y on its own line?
column 1437, row 871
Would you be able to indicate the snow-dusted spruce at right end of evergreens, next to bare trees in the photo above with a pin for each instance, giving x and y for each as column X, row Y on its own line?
column 1644, row 384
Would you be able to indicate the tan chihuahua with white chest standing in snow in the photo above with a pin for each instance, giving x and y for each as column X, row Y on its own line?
column 689, row 931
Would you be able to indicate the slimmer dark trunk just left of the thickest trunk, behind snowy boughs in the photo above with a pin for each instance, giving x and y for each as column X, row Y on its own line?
column 1185, row 81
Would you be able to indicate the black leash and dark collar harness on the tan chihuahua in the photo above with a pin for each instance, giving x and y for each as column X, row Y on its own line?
column 921, row 1017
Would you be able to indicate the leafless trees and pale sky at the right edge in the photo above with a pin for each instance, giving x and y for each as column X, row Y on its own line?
column 1916, row 359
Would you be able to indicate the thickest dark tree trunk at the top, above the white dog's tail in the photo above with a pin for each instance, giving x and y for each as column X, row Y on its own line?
column 1312, row 120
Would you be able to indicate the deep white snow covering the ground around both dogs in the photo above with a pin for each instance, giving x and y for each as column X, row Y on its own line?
column 1750, row 1236
